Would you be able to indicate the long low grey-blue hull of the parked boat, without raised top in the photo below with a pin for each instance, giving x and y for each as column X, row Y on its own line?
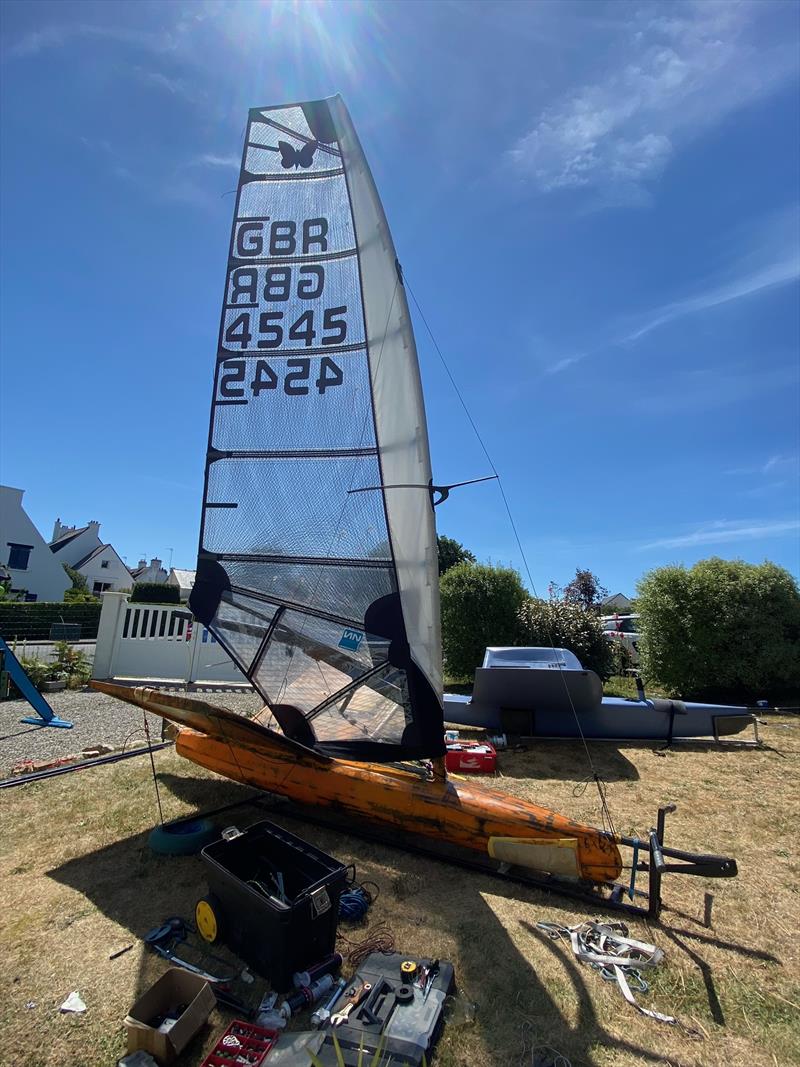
column 615, row 719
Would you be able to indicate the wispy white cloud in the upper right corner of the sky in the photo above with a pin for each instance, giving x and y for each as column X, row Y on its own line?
column 674, row 76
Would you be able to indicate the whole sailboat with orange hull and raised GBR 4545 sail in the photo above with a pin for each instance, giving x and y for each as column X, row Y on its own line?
column 318, row 564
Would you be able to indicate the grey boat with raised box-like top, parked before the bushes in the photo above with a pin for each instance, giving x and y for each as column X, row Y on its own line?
column 546, row 704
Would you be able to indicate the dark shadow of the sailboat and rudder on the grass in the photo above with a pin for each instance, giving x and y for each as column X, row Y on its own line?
column 138, row 890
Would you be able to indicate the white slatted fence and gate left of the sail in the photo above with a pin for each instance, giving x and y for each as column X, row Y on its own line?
column 155, row 643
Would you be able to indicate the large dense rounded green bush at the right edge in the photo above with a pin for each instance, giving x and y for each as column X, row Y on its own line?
column 722, row 628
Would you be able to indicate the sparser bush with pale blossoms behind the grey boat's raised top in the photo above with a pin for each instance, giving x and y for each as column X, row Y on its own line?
column 546, row 624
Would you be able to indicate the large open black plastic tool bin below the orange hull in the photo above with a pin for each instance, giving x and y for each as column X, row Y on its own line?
column 277, row 899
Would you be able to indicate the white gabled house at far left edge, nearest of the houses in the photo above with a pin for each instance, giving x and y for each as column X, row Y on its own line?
column 25, row 553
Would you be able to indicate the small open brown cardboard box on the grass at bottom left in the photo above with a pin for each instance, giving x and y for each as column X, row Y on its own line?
column 173, row 989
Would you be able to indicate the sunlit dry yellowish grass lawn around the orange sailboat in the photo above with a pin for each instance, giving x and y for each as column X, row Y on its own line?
column 79, row 883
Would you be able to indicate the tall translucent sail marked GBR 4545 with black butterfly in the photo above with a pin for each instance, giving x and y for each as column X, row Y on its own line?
column 318, row 578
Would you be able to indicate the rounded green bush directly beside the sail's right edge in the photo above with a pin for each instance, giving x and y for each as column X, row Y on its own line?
column 479, row 608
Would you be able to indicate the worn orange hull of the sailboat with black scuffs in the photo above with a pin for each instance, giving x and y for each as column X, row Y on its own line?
column 457, row 813
